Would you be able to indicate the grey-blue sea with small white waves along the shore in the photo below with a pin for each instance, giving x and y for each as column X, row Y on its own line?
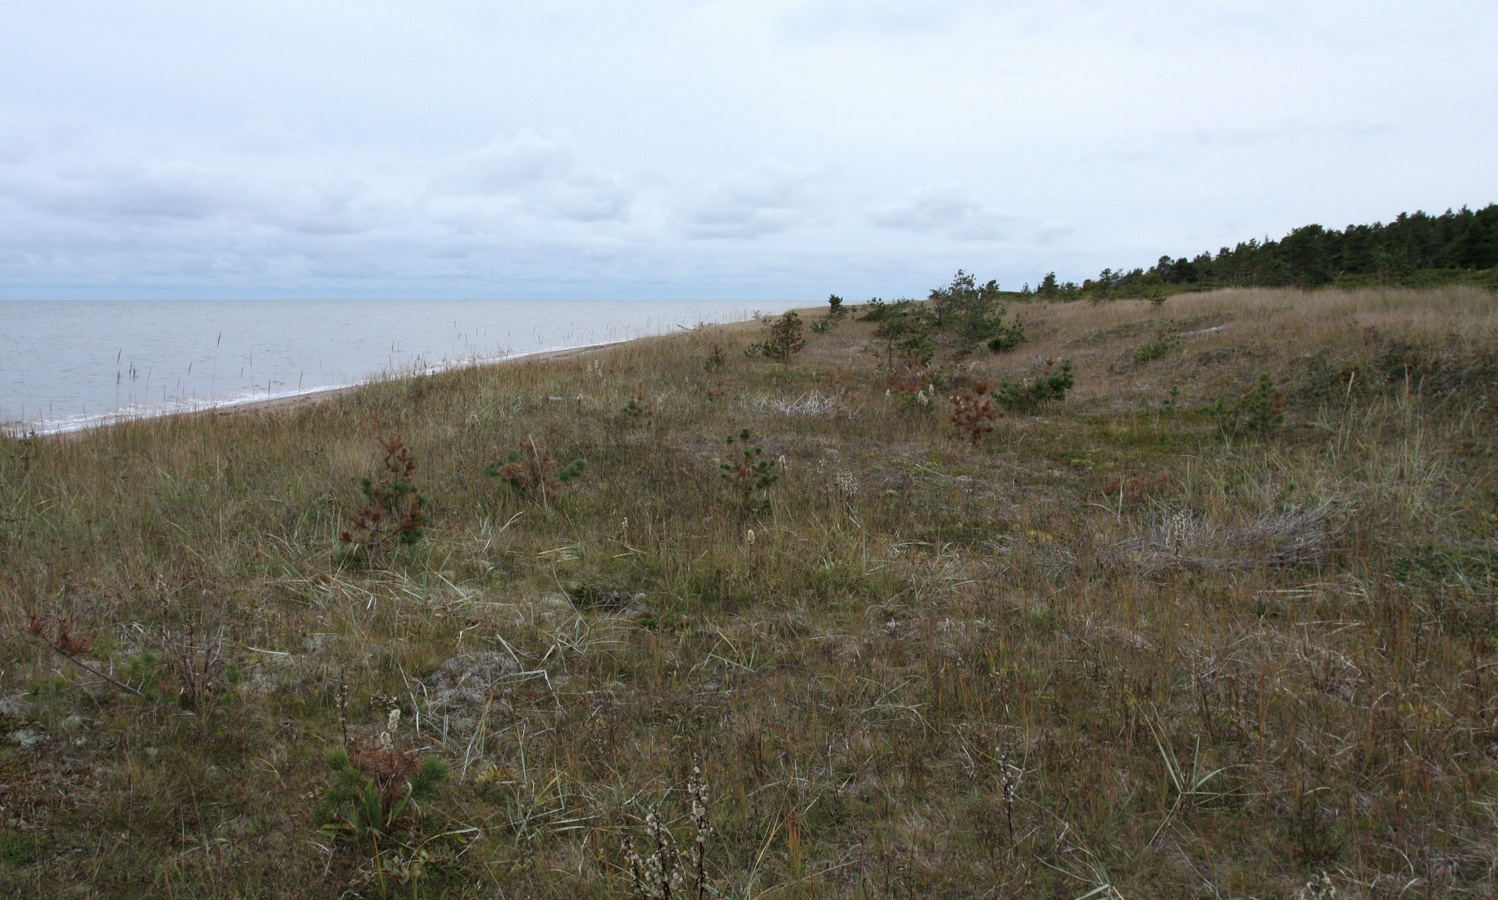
column 73, row 365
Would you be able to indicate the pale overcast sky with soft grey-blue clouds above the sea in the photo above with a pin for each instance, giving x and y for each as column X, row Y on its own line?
column 711, row 149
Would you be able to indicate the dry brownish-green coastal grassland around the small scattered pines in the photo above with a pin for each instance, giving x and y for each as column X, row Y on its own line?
column 1126, row 646
